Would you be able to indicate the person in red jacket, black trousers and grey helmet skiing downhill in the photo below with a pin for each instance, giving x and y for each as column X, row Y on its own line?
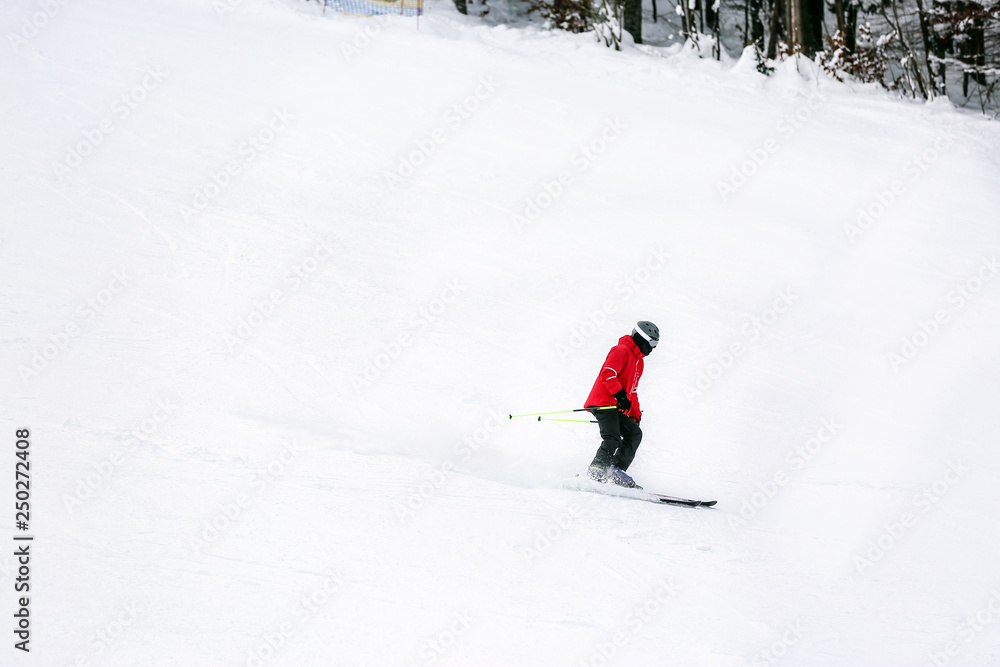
column 616, row 385
